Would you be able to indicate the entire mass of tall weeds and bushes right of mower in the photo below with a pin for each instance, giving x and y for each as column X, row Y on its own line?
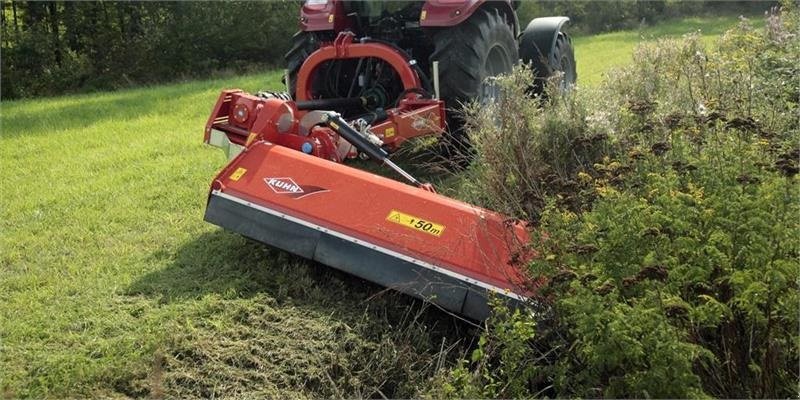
column 668, row 214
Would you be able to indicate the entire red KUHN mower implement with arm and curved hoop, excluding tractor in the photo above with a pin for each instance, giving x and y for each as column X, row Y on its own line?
column 285, row 185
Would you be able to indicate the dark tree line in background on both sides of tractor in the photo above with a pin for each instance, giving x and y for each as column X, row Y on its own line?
column 57, row 47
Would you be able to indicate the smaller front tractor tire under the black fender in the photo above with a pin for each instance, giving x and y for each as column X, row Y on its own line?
column 564, row 57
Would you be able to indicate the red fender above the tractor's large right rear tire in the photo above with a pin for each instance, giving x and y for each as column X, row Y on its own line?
column 438, row 13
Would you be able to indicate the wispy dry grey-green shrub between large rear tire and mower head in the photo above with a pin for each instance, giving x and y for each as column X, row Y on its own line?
column 525, row 152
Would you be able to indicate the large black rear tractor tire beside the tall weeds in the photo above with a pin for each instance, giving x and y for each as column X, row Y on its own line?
column 480, row 47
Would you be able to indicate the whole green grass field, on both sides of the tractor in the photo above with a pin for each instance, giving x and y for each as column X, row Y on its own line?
column 111, row 283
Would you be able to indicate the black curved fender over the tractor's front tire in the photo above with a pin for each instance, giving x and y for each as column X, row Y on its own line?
column 538, row 40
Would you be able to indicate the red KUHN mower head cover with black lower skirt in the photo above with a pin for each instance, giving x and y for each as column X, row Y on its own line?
column 430, row 246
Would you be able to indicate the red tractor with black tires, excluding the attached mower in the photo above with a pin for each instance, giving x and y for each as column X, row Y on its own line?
column 452, row 46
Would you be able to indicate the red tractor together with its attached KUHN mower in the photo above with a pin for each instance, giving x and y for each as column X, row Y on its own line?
column 363, row 77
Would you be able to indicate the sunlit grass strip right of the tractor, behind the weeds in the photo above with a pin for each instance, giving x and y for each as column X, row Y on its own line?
column 598, row 54
